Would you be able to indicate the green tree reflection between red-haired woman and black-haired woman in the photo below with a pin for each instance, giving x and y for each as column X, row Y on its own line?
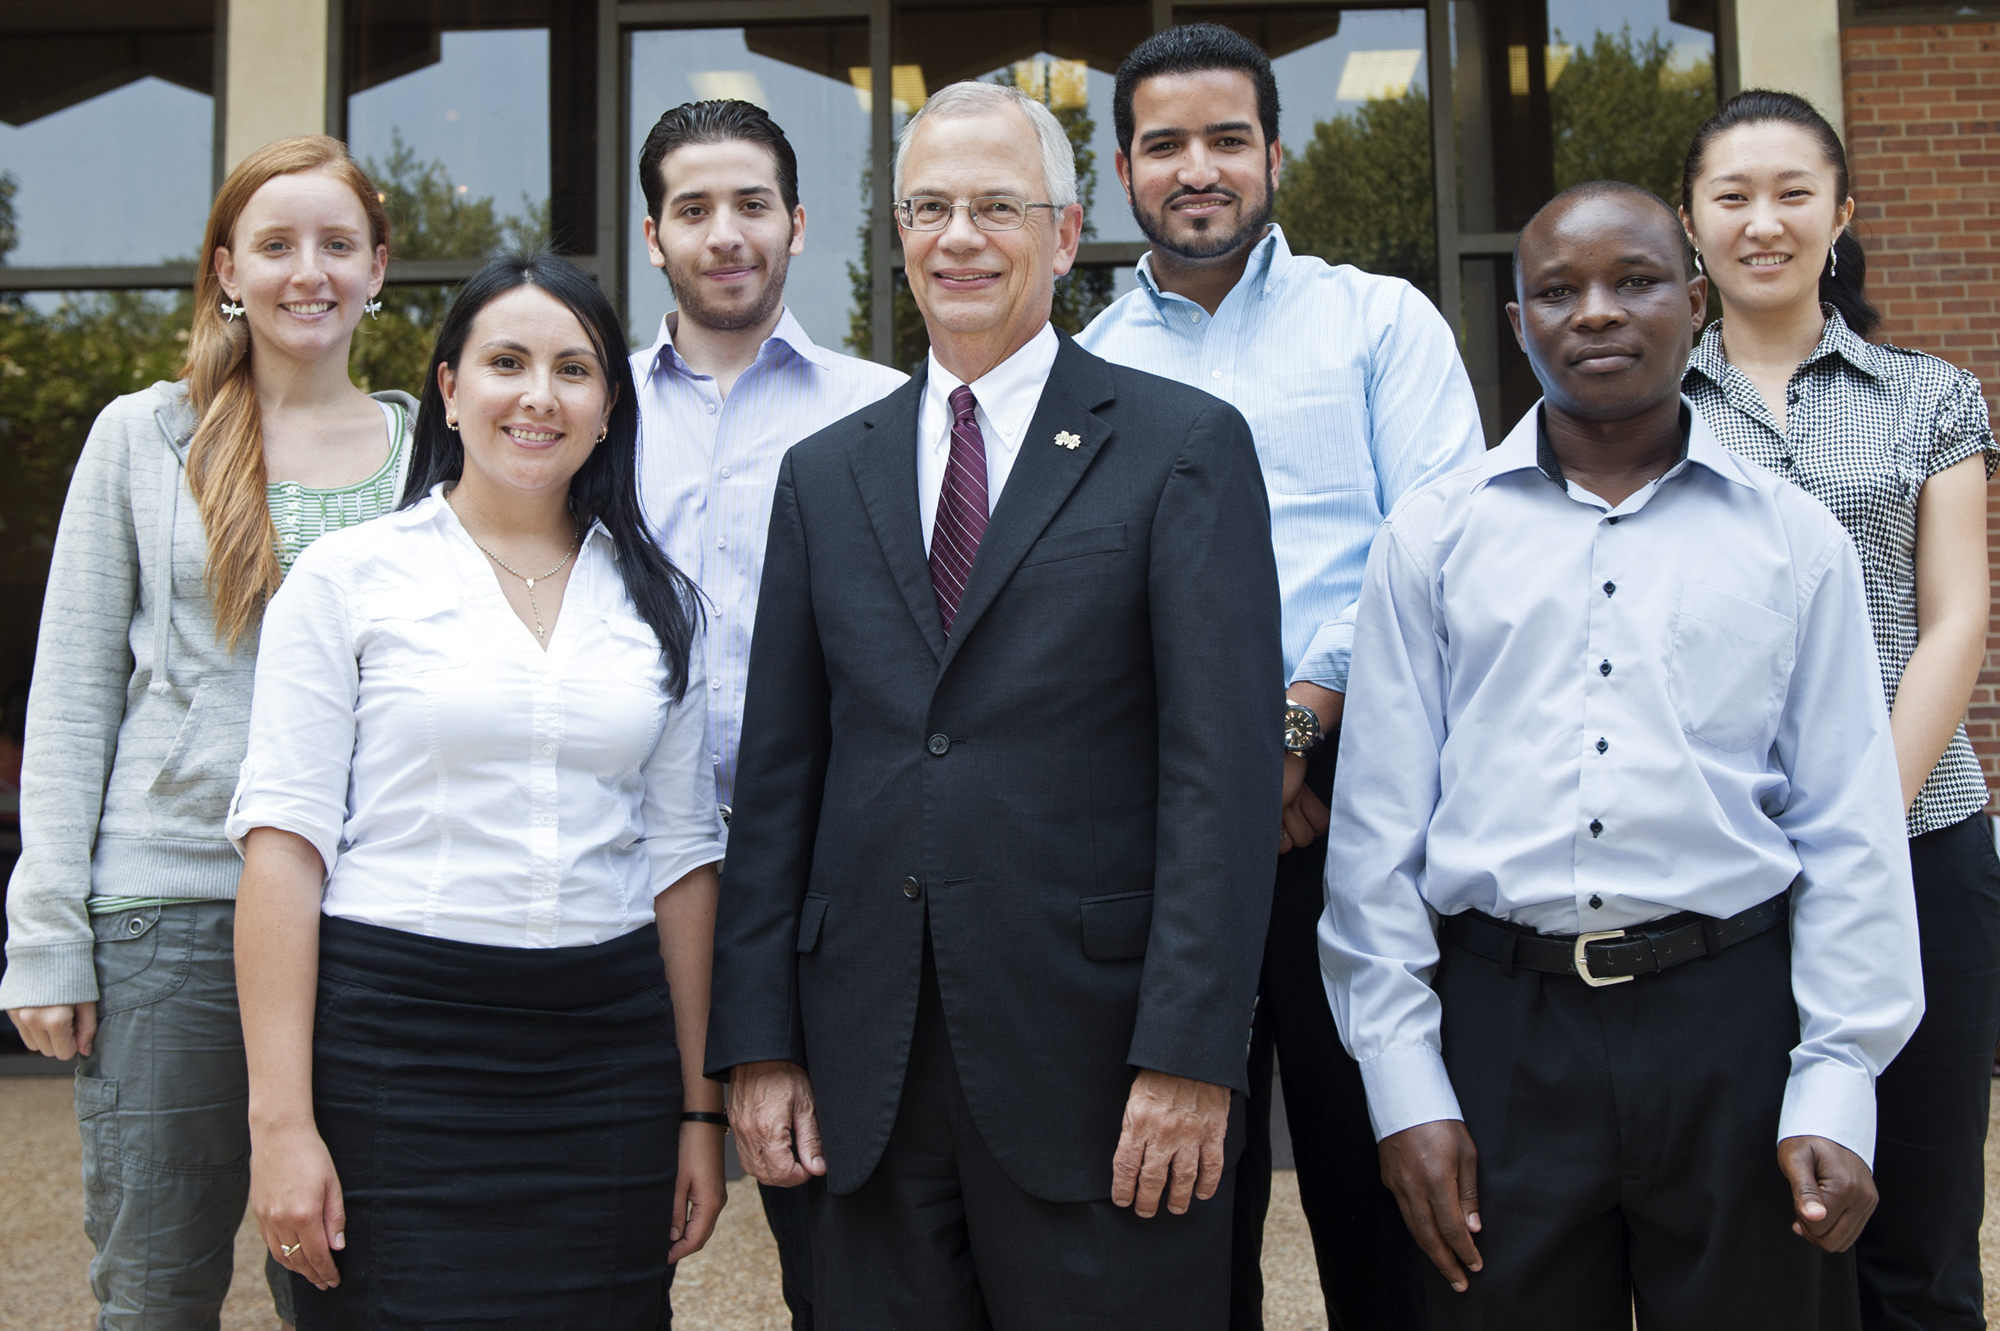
column 429, row 221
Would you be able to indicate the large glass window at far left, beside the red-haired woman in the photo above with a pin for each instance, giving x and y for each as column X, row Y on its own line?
column 107, row 161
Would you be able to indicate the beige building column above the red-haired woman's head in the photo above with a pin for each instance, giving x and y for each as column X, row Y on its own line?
column 277, row 73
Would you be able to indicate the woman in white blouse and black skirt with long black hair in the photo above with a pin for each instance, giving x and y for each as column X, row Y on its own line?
column 477, row 814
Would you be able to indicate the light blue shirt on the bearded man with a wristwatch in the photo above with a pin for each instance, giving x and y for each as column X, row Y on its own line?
column 1355, row 393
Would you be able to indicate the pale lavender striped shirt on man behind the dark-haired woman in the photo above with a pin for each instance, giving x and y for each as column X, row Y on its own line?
column 707, row 471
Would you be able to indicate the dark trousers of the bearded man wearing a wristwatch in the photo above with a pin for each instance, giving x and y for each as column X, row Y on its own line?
column 1371, row 1270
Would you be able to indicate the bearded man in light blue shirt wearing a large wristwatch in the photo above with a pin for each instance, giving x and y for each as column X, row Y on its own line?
column 1355, row 393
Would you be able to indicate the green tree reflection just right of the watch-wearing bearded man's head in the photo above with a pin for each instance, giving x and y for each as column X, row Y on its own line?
column 1361, row 193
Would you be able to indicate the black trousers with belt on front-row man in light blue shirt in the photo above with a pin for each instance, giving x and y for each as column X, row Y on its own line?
column 1629, row 1148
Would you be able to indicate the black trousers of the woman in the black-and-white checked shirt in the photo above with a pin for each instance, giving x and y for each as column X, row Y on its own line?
column 1919, row 1258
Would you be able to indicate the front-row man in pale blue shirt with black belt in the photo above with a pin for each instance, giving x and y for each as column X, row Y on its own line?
column 1623, row 908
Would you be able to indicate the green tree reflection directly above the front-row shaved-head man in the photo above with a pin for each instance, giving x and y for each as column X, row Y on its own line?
column 1623, row 111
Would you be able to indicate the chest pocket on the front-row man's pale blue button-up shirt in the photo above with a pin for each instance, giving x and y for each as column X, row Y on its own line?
column 1729, row 668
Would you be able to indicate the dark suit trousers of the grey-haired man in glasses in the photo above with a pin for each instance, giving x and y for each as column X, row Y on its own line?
column 943, row 1240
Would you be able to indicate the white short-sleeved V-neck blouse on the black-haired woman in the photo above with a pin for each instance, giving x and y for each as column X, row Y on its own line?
column 459, row 780
